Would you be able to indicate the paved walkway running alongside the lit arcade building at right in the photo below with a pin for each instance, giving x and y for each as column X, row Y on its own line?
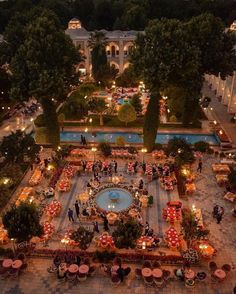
column 220, row 114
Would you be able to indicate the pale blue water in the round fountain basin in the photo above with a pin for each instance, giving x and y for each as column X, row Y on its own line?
column 104, row 199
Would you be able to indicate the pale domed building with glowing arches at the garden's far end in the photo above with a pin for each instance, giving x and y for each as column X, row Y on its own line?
column 118, row 46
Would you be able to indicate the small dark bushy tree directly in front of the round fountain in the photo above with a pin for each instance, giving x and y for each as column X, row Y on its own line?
column 126, row 234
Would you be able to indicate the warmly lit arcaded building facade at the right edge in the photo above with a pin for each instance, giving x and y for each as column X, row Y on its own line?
column 225, row 89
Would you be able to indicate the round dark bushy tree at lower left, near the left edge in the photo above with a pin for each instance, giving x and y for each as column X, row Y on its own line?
column 23, row 222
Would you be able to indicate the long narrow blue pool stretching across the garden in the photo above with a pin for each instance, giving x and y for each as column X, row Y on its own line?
column 162, row 138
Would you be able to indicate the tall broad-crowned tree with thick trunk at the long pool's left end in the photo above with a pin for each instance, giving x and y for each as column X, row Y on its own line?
column 44, row 68
